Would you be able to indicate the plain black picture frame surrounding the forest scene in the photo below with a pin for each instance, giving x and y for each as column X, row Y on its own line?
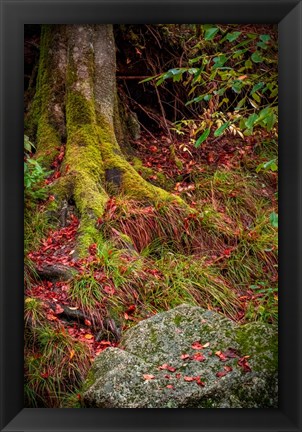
column 16, row 13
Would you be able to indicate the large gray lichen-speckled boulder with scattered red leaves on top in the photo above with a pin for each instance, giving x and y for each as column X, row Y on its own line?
column 187, row 357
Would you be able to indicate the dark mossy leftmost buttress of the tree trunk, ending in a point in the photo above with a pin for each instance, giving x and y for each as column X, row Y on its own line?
column 45, row 122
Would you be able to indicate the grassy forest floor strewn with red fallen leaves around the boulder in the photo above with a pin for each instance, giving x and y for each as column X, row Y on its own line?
column 229, row 267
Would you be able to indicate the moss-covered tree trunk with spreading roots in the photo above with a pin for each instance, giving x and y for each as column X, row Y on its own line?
column 76, row 105
